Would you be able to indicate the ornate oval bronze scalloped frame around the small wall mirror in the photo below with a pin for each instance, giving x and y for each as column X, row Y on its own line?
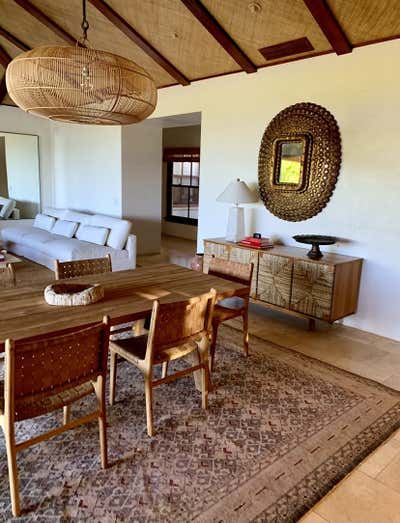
column 318, row 129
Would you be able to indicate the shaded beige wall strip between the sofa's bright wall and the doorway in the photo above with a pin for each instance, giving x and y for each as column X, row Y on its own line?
column 142, row 183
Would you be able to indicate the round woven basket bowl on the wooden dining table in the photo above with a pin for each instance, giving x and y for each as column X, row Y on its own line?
column 73, row 294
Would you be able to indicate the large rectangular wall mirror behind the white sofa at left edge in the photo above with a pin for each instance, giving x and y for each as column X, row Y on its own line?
column 19, row 175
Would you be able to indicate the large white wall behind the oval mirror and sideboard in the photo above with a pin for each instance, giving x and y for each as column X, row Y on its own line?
column 362, row 91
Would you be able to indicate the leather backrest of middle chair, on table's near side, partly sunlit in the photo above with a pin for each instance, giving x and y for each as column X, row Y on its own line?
column 173, row 323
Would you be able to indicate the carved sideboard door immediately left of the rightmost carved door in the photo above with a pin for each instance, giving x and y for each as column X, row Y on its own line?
column 274, row 279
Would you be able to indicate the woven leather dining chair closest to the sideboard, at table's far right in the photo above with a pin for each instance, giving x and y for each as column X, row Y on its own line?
column 233, row 307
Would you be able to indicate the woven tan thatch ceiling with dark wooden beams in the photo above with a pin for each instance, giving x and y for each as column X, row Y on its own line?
column 179, row 41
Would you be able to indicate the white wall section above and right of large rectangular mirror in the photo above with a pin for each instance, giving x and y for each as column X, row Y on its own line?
column 14, row 120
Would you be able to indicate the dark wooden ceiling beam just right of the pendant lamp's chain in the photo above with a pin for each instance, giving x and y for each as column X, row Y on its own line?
column 135, row 37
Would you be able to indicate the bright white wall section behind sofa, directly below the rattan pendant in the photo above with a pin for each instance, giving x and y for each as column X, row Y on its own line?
column 87, row 168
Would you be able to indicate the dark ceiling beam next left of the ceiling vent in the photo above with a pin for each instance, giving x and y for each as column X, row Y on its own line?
column 218, row 32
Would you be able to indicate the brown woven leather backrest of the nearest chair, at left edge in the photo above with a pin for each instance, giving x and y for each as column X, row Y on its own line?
column 46, row 365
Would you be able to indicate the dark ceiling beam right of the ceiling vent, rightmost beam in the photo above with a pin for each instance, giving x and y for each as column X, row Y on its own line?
column 329, row 26
